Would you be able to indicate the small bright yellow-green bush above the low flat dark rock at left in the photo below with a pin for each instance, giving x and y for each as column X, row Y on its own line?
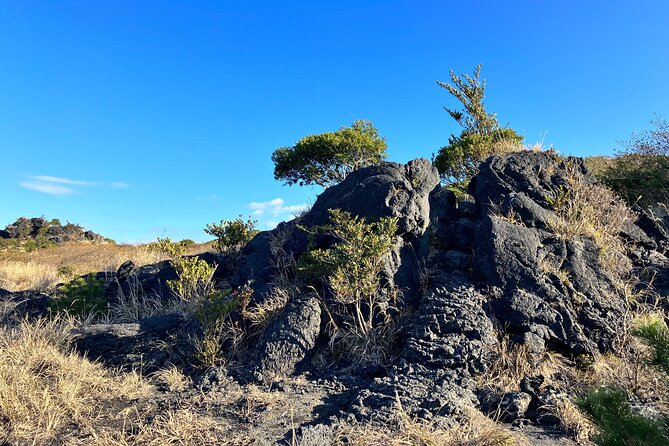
column 193, row 278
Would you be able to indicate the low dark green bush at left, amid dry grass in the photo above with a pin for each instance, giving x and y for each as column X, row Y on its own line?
column 82, row 297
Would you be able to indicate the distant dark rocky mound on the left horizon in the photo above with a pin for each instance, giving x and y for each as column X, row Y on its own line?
column 30, row 228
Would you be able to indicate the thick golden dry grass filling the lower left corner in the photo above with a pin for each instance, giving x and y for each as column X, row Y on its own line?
column 47, row 390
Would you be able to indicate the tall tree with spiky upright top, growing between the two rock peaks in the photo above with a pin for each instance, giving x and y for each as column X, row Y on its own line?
column 481, row 136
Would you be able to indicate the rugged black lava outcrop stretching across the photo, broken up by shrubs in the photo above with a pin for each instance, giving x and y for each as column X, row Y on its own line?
column 469, row 273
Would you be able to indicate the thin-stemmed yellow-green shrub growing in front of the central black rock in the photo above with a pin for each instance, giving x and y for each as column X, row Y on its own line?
column 352, row 269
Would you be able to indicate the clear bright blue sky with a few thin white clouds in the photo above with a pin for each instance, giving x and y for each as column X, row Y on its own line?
column 145, row 118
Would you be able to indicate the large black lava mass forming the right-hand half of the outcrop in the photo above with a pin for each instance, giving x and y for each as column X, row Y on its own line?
column 528, row 263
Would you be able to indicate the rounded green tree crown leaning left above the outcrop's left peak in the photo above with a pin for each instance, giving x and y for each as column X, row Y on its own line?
column 327, row 158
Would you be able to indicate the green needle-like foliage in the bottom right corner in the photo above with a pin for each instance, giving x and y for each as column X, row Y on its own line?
column 617, row 423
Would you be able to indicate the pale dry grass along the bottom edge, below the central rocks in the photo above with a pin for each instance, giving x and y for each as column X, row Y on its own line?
column 477, row 430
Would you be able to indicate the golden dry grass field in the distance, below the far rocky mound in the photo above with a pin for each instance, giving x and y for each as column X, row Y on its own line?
column 39, row 269
